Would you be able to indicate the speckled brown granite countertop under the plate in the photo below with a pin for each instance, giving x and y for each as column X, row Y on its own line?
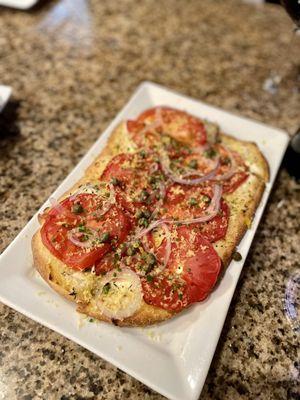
column 72, row 65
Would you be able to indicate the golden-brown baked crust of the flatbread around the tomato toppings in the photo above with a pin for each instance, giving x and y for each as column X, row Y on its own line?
column 79, row 286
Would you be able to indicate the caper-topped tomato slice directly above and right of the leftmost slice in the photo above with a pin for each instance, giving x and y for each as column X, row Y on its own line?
column 138, row 180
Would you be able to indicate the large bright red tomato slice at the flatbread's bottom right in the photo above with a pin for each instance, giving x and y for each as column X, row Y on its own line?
column 190, row 275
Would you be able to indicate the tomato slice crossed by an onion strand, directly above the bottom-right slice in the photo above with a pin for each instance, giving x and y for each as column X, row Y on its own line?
column 184, row 202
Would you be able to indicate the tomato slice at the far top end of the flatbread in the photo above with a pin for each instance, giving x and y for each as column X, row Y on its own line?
column 175, row 123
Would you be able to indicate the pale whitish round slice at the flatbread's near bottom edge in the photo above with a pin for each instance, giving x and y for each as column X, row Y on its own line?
column 125, row 286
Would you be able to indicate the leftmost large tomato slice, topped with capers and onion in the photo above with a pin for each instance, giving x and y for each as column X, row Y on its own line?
column 82, row 214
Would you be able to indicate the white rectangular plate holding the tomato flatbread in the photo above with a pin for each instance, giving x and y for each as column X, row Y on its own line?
column 173, row 358
